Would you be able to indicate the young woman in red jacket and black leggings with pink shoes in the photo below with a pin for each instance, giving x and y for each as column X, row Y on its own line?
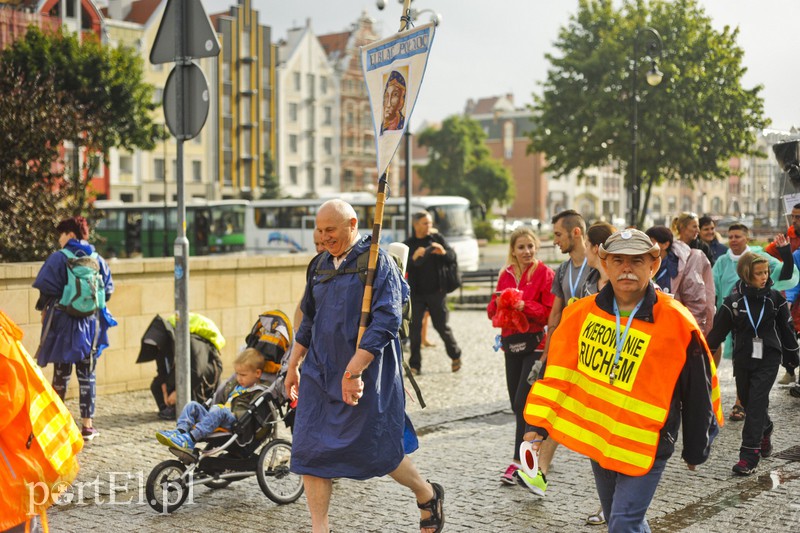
column 522, row 346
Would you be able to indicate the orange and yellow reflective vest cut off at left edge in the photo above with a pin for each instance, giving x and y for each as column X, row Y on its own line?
column 39, row 440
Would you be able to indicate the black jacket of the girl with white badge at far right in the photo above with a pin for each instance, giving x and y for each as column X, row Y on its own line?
column 775, row 328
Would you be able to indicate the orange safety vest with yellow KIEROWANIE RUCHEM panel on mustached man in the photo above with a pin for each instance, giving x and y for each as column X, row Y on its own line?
column 616, row 424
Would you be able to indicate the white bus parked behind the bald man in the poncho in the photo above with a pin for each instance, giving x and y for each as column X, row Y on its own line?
column 288, row 225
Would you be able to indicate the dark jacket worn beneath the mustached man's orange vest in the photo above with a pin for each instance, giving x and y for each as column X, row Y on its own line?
column 691, row 399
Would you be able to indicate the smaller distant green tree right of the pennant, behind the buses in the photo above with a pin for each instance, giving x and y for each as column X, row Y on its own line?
column 460, row 163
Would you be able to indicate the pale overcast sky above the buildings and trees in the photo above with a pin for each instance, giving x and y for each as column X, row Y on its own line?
column 489, row 48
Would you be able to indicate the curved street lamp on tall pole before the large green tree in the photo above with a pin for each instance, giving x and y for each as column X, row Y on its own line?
column 654, row 48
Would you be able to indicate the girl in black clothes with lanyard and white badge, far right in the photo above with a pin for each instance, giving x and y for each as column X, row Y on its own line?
column 758, row 317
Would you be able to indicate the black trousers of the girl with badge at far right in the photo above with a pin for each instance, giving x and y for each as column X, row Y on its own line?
column 753, row 386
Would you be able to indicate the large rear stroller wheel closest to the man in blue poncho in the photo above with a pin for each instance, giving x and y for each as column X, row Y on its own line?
column 276, row 481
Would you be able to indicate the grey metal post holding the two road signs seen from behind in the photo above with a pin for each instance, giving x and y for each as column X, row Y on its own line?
column 181, row 246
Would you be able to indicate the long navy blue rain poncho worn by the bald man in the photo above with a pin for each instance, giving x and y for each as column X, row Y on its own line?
column 333, row 439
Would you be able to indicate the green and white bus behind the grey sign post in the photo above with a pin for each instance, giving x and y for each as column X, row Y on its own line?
column 148, row 229
